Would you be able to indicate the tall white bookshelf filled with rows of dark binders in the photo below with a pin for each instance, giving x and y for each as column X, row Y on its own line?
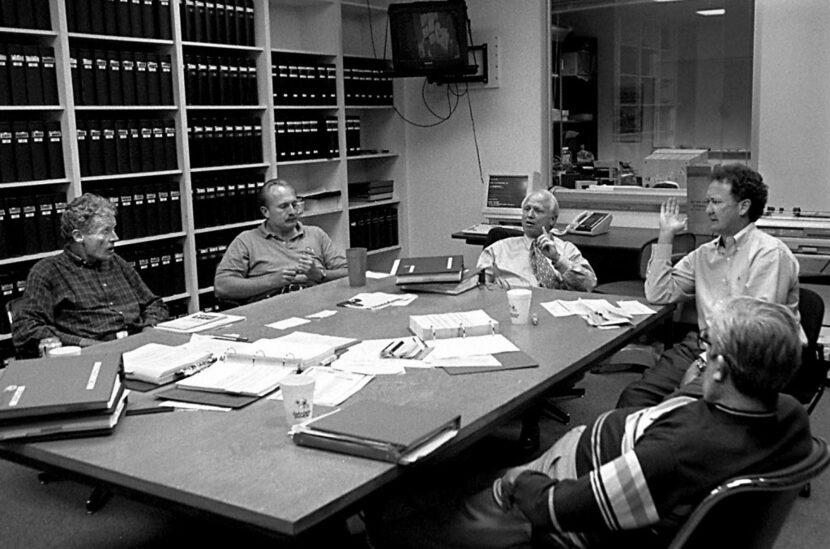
column 97, row 116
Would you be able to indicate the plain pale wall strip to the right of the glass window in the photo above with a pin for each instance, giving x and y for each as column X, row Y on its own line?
column 791, row 114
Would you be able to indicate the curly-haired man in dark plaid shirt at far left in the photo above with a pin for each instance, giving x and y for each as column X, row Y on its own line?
column 87, row 293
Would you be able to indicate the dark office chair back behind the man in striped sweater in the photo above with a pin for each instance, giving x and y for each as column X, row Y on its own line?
column 749, row 511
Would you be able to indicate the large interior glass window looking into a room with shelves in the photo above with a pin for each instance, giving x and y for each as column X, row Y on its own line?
column 666, row 75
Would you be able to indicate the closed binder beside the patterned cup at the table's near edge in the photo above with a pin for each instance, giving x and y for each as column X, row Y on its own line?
column 378, row 430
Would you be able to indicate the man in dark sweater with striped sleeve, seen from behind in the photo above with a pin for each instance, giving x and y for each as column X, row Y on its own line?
column 632, row 477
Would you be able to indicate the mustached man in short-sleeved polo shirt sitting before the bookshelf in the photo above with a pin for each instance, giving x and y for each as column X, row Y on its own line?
column 279, row 256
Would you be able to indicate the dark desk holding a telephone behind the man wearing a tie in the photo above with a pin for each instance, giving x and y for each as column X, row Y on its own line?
column 613, row 255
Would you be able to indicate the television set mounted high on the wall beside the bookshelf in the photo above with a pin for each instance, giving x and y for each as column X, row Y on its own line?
column 429, row 38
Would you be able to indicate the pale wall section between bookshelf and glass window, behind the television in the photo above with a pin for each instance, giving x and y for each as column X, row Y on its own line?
column 444, row 191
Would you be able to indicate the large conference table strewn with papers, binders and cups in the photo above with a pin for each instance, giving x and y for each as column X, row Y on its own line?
column 241, row 465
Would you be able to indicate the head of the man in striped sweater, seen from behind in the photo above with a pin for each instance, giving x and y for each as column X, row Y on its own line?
column 760, row 341
